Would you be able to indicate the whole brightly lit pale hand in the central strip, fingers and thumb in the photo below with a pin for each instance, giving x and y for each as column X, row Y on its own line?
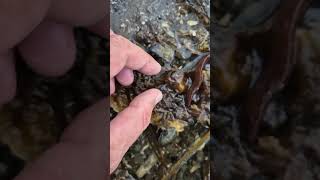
column 127, row 126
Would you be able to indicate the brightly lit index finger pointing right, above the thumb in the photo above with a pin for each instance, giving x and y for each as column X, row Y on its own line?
column 123, row 53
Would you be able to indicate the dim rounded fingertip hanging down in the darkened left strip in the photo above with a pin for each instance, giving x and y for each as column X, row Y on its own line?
column 50, row 49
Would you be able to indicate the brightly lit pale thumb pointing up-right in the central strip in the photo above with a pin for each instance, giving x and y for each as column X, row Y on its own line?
column 130, row 123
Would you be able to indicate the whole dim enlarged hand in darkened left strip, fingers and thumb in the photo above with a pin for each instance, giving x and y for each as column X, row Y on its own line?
column 41, row 31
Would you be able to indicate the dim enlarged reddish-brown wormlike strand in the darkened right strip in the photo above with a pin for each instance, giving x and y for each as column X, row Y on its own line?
column 278, row 48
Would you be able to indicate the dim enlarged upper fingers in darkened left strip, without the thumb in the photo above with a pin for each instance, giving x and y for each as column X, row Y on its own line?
column 41, row 30
